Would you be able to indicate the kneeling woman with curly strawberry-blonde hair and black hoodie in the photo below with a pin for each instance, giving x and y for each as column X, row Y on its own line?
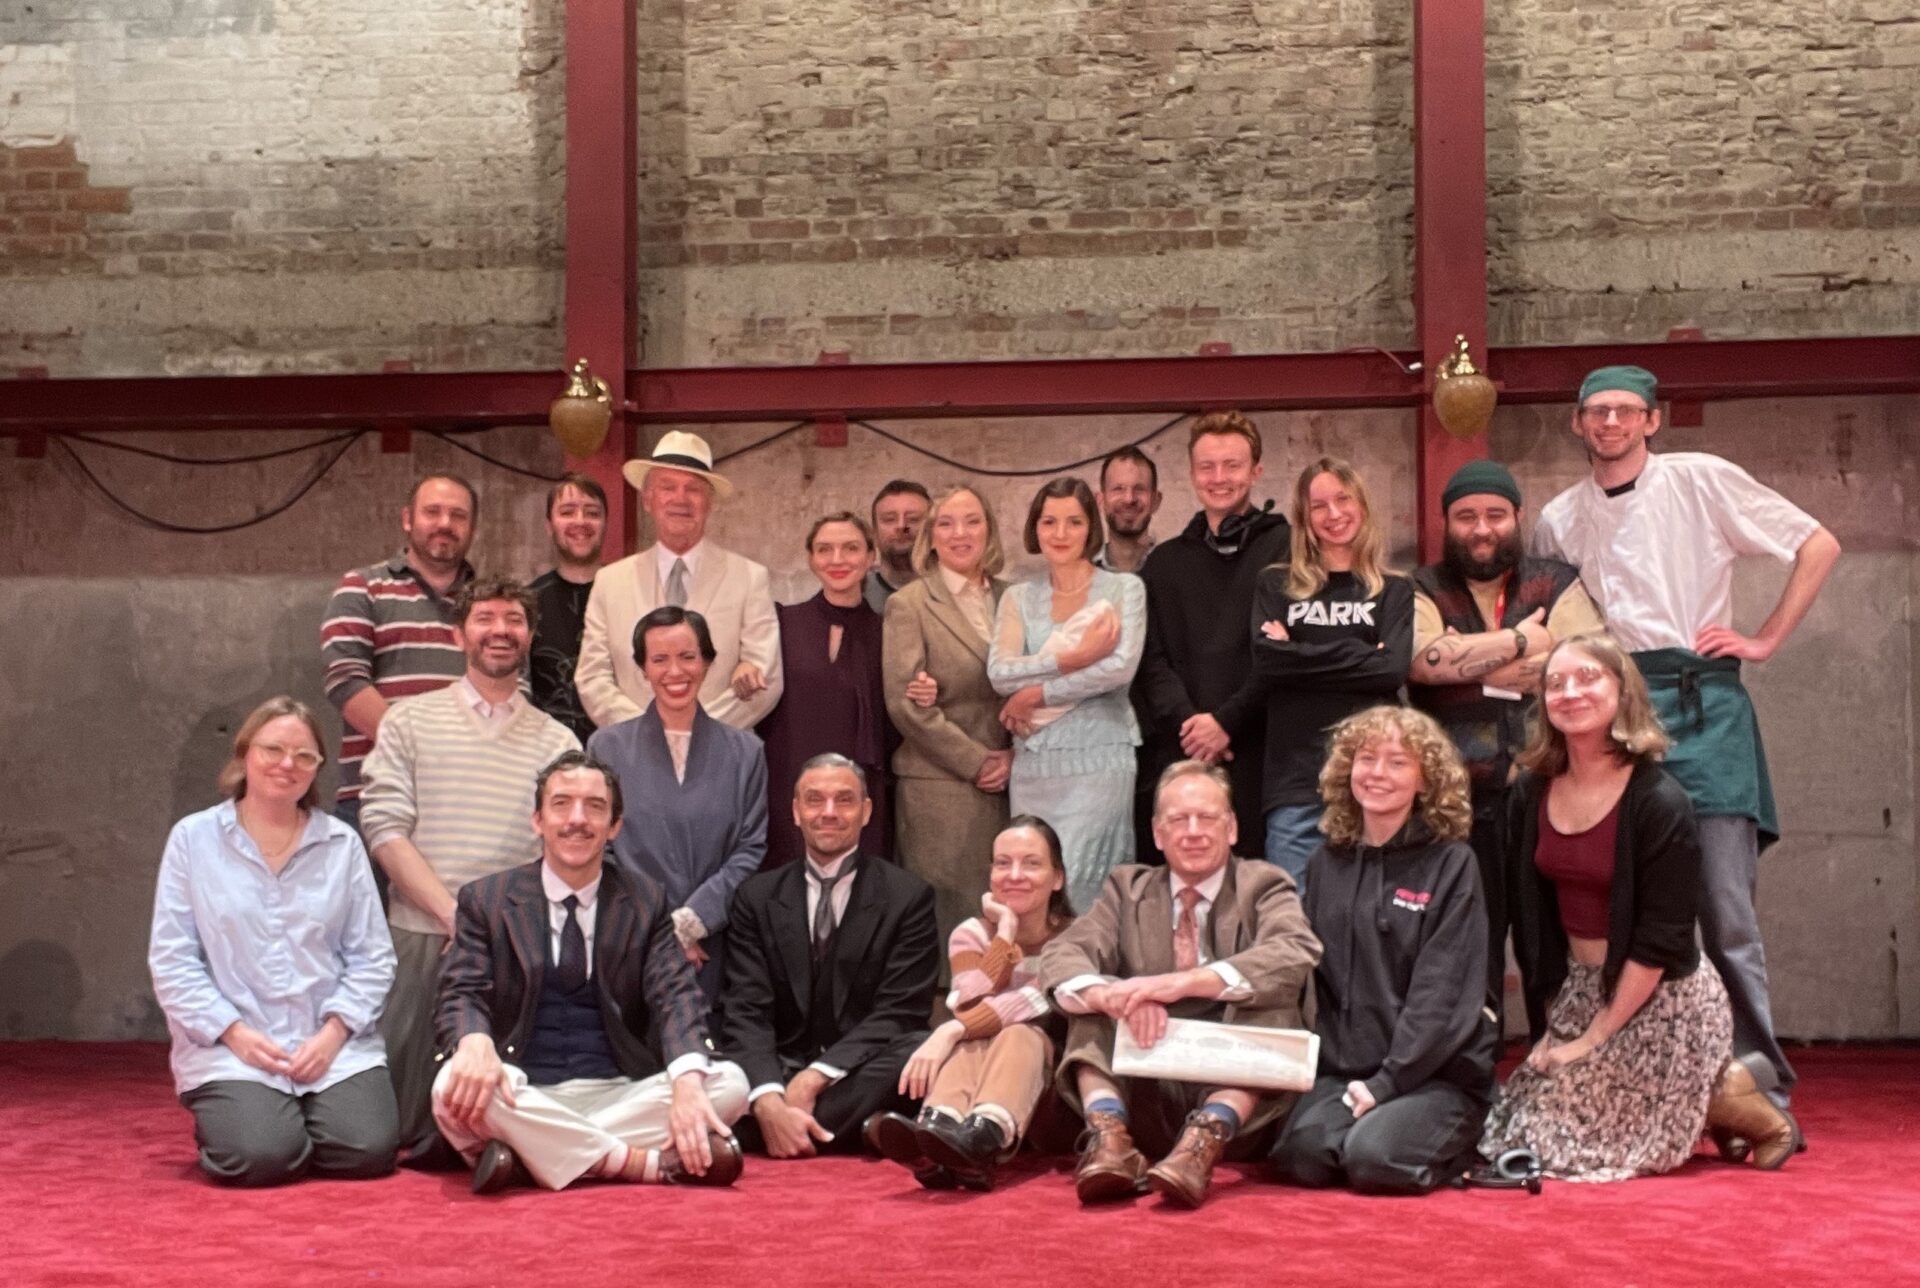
column 1408, row 1047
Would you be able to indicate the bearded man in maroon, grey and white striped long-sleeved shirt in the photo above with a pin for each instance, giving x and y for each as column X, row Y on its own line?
column 391, row 629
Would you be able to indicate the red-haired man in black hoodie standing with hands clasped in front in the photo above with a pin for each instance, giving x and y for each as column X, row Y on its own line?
column 1195, row 694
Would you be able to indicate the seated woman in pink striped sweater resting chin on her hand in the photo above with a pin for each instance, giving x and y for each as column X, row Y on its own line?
column 982, row 1074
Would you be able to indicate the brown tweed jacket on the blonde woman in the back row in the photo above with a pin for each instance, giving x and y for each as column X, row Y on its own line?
column 926, row 631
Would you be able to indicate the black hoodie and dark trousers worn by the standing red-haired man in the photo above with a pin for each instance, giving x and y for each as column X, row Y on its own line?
column 1199, row 657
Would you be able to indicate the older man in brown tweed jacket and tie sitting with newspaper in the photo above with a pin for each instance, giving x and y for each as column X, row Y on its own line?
column 1205, row 938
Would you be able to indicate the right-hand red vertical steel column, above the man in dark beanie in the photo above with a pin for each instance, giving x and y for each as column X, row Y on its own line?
column 1449, row 224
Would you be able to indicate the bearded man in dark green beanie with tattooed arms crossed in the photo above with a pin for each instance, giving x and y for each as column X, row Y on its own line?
column 1485, row 619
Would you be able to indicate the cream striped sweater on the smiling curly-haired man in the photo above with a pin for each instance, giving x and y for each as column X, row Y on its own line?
column 460, row 790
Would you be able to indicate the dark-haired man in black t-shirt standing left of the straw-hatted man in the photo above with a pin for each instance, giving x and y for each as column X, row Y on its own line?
column 577, row 521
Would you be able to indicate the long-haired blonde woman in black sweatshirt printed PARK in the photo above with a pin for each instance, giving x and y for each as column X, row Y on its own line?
column 1333, row 634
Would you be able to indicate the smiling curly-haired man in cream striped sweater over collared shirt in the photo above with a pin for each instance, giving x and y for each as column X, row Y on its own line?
column 450, row 788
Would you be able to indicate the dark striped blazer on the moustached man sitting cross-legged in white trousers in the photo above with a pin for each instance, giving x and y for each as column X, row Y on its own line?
column 491, row 984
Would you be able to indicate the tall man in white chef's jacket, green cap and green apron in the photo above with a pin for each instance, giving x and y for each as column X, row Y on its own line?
column 1656, row 538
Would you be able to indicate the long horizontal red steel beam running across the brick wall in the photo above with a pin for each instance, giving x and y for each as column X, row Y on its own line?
column 1696, row 371
